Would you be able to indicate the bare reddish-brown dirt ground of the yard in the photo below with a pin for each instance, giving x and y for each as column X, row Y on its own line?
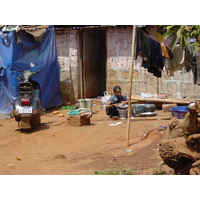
column 55, row 148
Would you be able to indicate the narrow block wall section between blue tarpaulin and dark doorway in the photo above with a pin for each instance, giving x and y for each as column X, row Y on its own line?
column 67, row 50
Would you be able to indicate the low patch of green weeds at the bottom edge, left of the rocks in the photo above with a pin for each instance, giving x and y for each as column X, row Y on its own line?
column 115, row 171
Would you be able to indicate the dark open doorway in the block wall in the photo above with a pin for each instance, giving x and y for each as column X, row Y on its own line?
column 94, row 70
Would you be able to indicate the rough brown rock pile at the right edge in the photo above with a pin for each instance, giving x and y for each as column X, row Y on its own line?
column 180, row 148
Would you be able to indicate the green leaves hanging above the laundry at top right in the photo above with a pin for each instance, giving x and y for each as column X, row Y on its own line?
column 183, row 33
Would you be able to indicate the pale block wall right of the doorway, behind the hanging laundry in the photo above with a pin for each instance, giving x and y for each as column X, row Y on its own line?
column 119, row 42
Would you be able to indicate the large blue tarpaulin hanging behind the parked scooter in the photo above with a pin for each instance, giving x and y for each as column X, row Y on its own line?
column 30, row 55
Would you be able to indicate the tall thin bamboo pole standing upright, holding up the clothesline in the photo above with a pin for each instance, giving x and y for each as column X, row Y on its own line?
column 130, row 86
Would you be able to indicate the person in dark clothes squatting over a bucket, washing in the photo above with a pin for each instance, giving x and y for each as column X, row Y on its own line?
column 112, row 105
